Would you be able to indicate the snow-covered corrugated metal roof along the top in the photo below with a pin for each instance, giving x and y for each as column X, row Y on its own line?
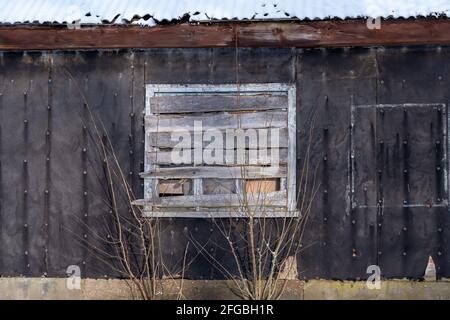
column 149, row 12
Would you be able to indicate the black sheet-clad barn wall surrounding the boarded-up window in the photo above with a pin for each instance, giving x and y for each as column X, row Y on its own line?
column 51, row 185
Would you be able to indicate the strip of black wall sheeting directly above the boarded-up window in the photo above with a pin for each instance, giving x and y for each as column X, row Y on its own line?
column 219, row 66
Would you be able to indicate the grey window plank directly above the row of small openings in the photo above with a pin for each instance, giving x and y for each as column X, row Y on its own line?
column 216, row 172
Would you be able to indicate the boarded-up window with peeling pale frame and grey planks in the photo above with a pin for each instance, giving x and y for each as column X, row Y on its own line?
column 215, row 151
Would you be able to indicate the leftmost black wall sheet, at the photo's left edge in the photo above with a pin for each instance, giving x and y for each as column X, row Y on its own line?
column 24, row 104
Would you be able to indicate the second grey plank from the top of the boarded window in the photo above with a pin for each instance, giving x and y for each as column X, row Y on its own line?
column 248, row 120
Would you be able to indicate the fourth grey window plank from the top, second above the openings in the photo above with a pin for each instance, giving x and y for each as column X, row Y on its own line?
column 229, row 157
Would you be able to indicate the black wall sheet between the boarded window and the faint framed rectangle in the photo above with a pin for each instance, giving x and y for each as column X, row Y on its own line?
column 338, row 240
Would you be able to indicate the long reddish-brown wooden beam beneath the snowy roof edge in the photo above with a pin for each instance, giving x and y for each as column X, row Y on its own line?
column 229, row 34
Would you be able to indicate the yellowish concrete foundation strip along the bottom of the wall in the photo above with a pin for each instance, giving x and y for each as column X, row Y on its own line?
column 56, row 288
